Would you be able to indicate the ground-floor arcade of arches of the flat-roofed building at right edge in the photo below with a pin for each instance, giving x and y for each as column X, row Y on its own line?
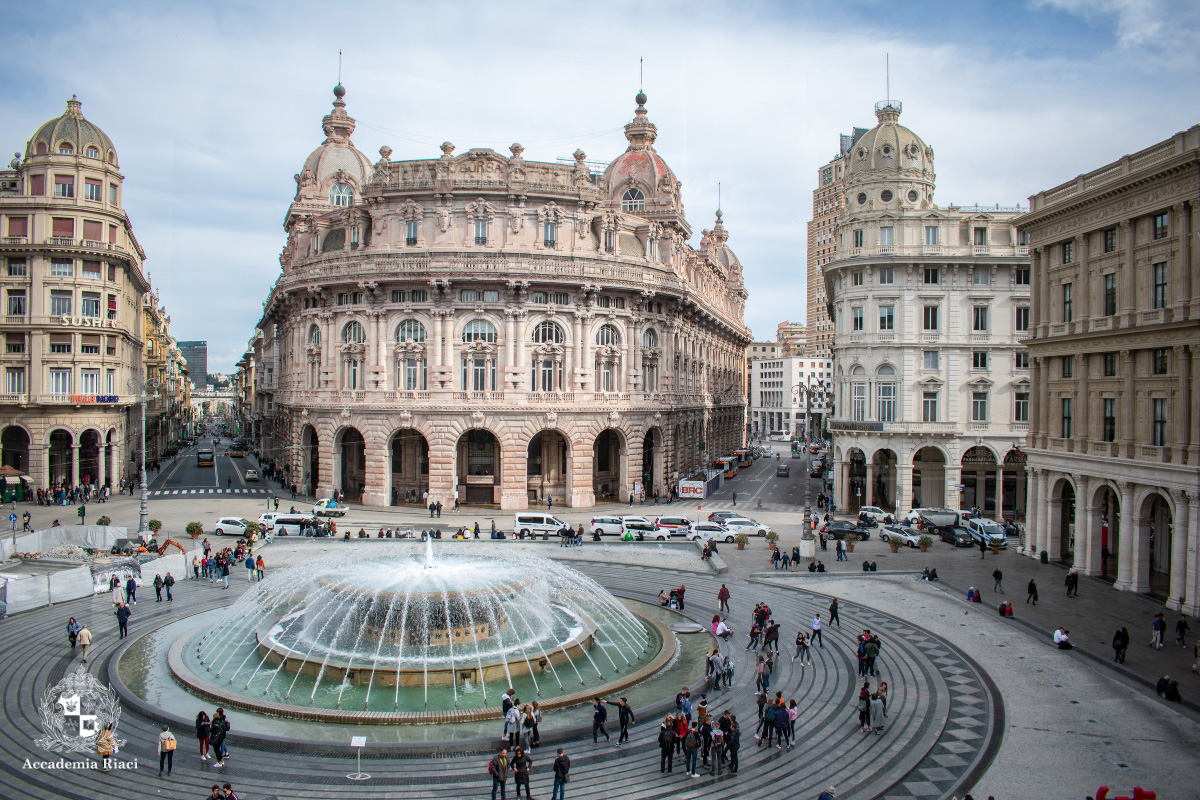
column 1126, row 532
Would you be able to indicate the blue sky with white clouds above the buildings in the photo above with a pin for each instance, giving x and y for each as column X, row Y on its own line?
column 214, row 107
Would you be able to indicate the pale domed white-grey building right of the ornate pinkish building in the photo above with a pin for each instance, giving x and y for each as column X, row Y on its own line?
column 931, row 308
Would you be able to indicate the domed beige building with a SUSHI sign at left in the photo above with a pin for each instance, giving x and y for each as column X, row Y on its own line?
column 74, row 288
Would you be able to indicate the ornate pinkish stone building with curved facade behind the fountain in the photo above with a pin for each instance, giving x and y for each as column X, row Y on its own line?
column 495, row 329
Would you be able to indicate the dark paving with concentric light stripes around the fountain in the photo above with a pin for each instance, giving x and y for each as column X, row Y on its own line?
column 944, row 725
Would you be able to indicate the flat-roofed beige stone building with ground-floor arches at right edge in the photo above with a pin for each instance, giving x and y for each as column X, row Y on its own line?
column 1115, row 446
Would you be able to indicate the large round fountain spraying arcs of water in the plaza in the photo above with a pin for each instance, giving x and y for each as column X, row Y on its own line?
column 403, row 636
